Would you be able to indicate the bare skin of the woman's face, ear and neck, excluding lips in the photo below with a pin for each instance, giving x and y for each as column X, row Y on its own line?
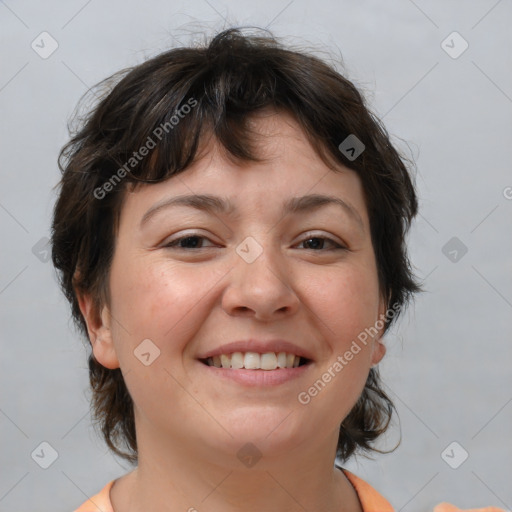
column 190, row 425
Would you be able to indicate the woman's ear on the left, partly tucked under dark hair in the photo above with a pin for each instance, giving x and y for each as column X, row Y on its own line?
column 100, row 334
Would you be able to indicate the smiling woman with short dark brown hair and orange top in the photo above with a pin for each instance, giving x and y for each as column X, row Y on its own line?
column 230, row 233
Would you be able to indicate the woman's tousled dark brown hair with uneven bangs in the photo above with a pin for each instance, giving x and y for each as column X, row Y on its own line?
column 230, row 78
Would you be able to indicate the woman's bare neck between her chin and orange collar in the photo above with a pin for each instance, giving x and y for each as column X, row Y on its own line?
column 181, row 478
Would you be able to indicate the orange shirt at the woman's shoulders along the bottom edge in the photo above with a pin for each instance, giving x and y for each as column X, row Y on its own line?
column 371, row 500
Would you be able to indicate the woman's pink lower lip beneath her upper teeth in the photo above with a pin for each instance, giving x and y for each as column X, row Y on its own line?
column 257, row 377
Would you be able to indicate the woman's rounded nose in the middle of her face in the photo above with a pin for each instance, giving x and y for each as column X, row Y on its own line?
column 262, row 289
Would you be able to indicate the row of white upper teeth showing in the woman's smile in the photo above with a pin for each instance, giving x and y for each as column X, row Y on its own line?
column 255, row 361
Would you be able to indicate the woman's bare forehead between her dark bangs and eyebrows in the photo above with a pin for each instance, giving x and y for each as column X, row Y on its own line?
column 290, row 167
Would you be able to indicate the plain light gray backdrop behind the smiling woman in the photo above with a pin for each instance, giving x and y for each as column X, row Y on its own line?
column 448, row 361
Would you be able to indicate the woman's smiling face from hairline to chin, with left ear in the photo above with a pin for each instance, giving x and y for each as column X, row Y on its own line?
column 187, row 280
